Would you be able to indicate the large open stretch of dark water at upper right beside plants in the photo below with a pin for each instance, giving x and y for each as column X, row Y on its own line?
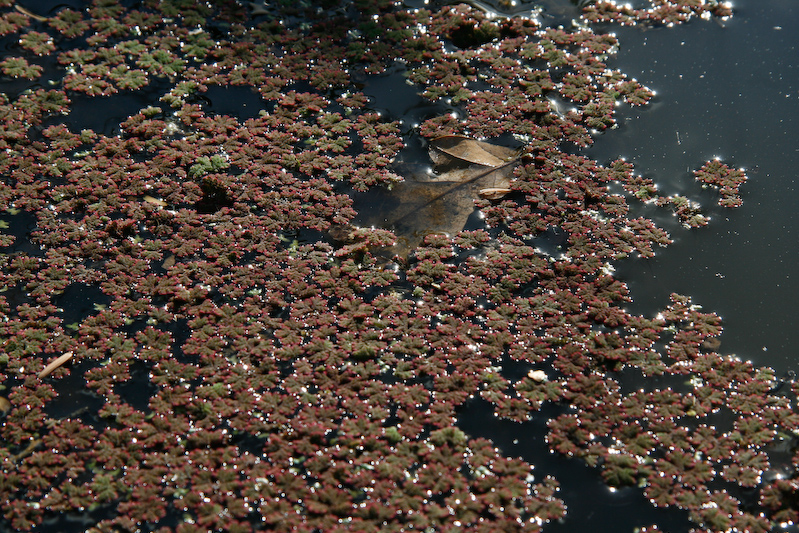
column 732, row 92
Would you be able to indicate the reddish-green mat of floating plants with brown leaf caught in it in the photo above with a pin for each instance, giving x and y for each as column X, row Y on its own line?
column 246, row 287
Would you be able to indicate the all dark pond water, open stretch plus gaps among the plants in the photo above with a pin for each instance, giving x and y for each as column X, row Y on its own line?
column 725, row 89
